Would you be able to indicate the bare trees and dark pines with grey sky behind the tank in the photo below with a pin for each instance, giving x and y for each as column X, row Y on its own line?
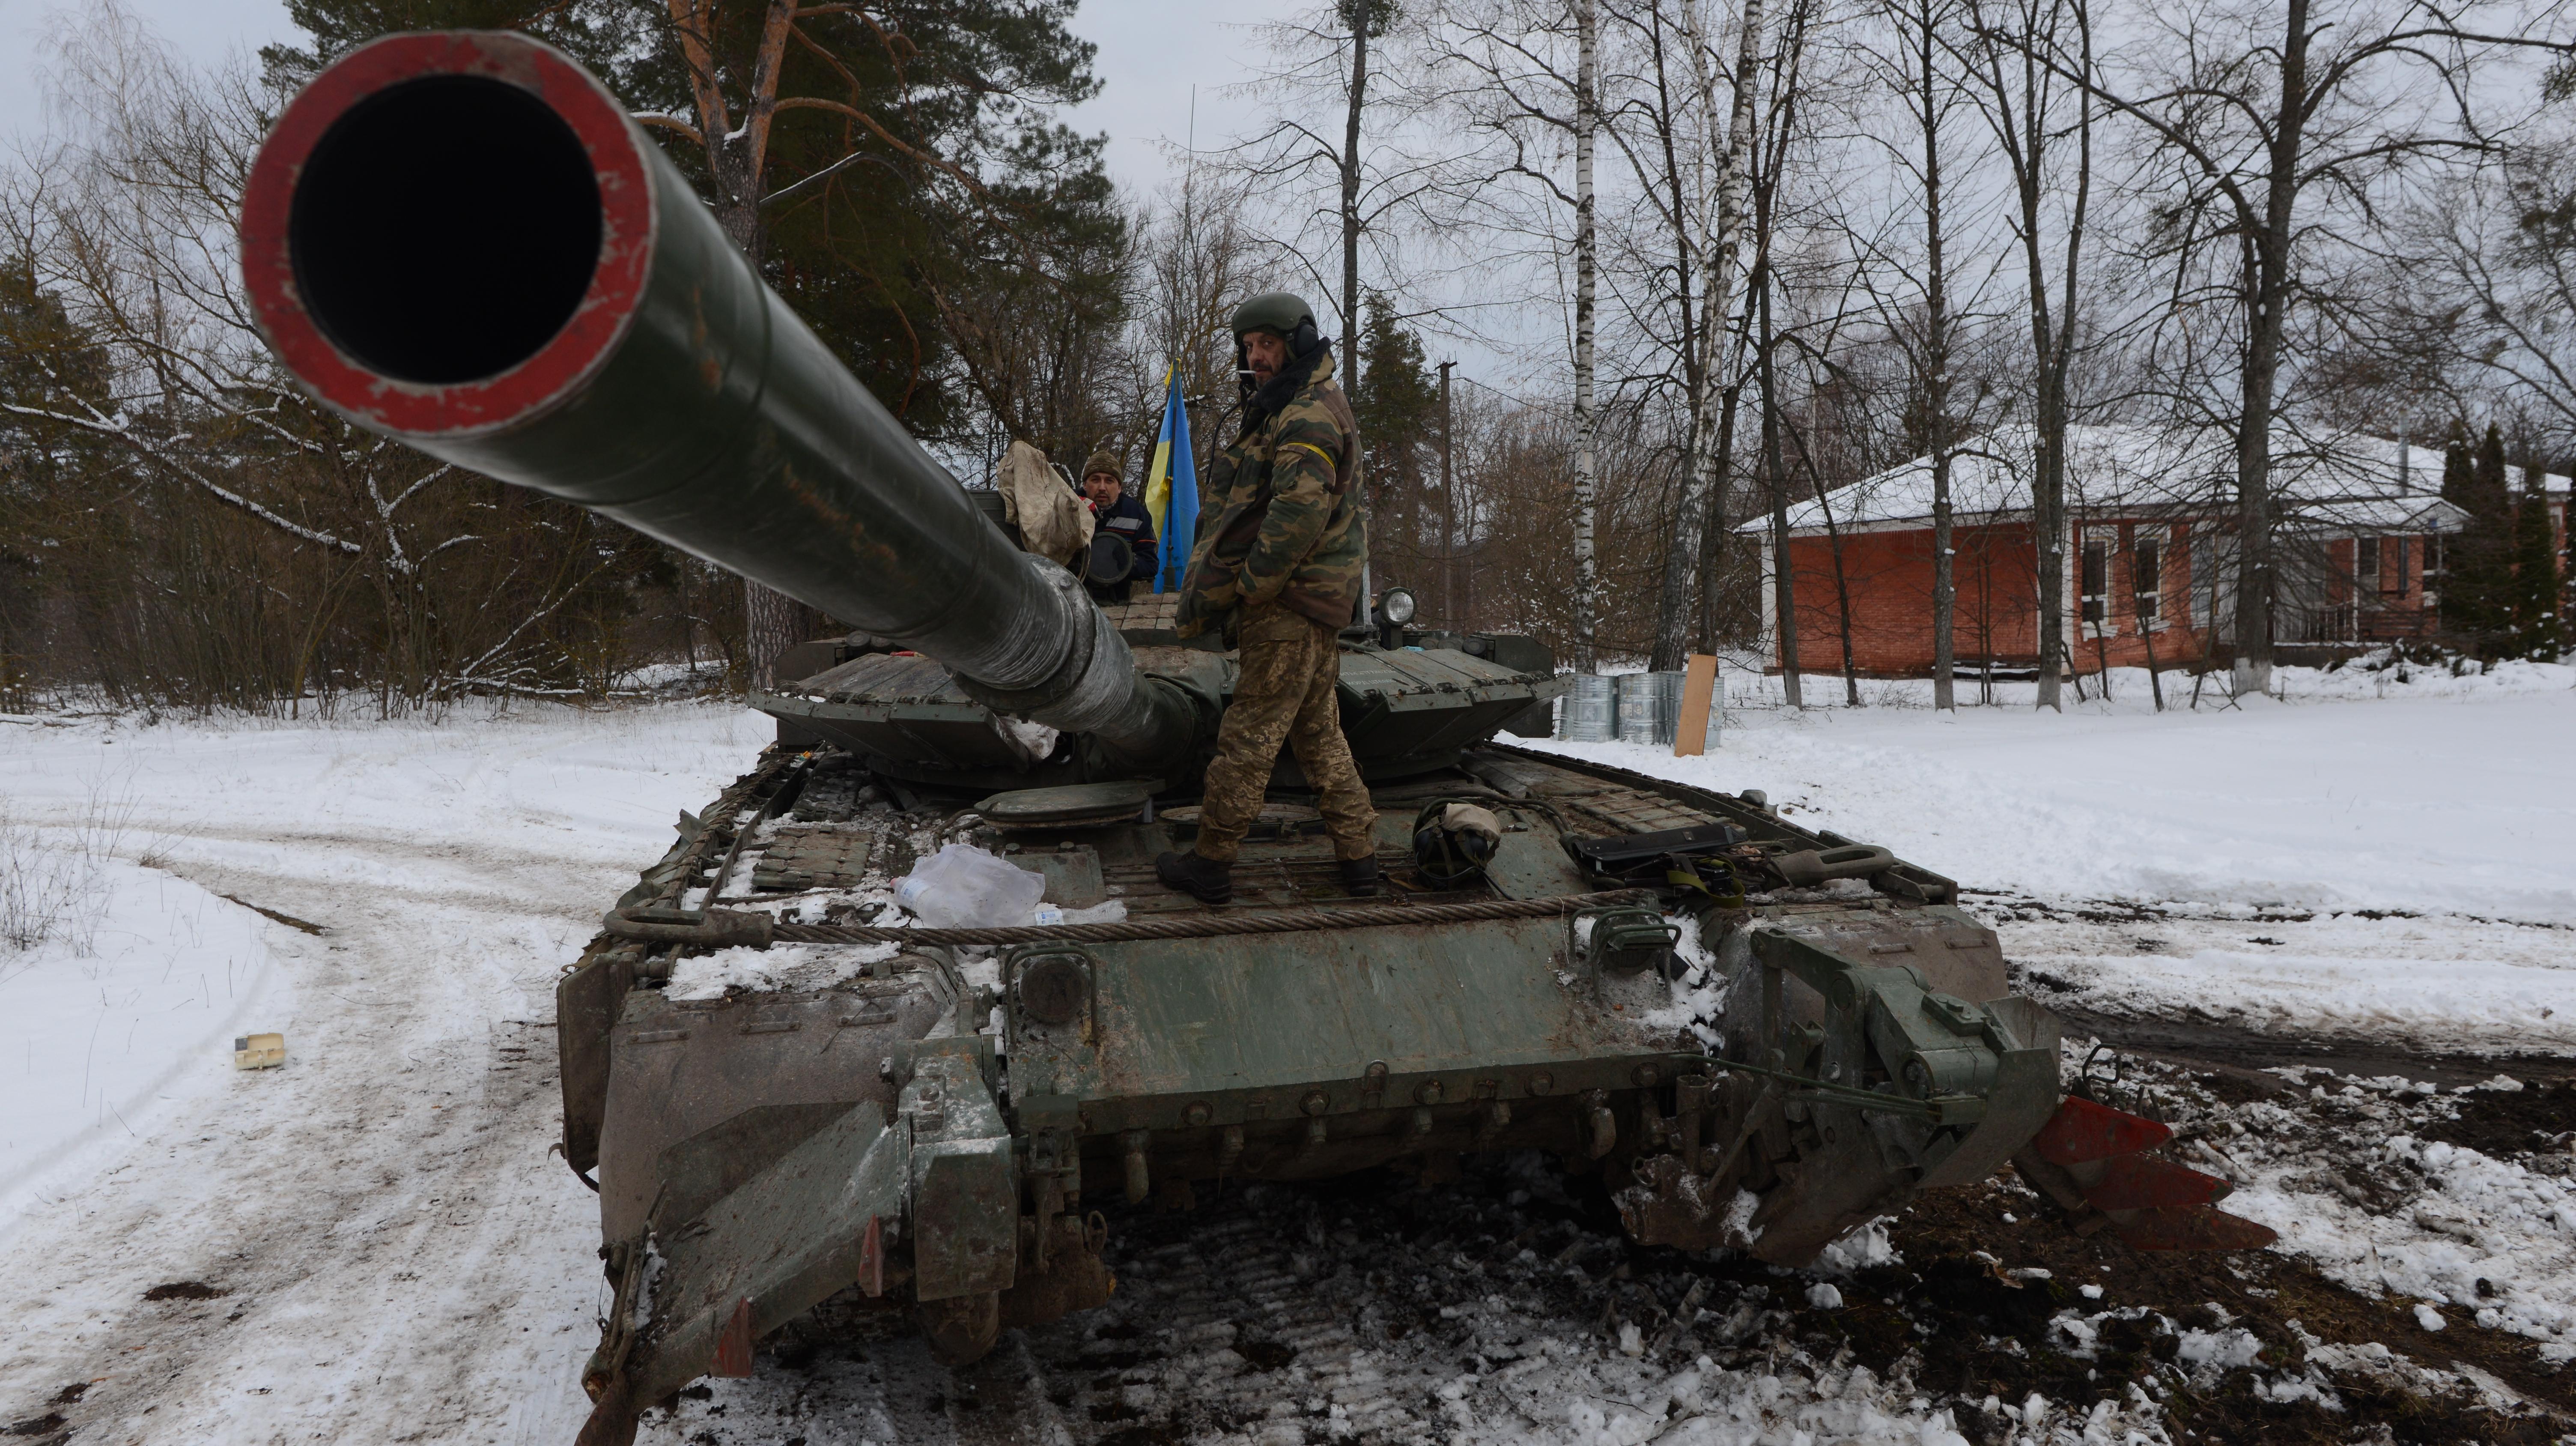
column 1709, row 259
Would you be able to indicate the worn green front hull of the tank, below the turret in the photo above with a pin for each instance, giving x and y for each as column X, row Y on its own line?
column 988, row 1094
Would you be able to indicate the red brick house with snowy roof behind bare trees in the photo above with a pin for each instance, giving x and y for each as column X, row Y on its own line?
column 2150, row 553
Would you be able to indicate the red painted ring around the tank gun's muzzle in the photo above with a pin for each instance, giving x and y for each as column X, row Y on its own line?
column 578, row 349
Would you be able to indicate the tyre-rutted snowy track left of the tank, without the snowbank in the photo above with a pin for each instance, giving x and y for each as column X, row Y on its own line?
column 403, row 1259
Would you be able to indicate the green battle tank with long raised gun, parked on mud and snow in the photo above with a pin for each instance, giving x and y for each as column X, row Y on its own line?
column 787, row 1094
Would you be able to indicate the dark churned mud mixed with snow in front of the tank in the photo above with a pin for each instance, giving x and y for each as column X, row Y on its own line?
column 1511, row 1308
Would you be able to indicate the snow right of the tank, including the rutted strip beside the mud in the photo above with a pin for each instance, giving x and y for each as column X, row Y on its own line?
column 2263, row 857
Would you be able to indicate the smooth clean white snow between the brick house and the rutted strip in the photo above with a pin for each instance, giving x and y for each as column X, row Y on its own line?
column 2441, row 795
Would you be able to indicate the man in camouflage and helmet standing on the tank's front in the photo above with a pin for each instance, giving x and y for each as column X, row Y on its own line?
column 1279, row 563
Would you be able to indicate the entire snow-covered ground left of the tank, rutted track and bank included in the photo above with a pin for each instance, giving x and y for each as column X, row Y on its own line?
column 398, row 1254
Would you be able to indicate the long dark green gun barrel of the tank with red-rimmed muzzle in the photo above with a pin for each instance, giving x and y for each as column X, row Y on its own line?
column 465, row 244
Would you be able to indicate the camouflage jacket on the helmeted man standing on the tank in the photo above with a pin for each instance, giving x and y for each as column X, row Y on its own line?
column 1282, row 519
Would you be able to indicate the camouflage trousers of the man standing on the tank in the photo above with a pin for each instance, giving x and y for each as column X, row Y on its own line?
column 1287, row 695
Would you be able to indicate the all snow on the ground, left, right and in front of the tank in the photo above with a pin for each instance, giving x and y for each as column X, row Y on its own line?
column 401, row 1257
